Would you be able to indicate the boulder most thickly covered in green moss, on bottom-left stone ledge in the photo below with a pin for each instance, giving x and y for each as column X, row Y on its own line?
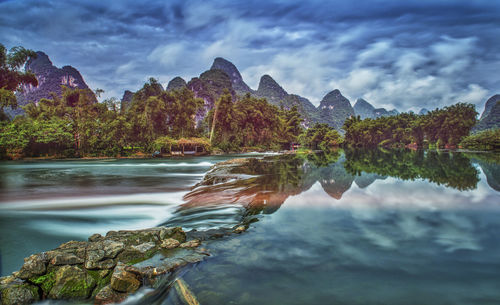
column 71, row 282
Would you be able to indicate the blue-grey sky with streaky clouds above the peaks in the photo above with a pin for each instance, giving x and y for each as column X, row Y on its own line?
column 403, row 54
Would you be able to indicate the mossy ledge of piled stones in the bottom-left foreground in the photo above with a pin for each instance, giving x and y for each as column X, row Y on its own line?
column 104, row 269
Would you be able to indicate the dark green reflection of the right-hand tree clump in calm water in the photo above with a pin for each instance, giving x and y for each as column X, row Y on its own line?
column 443, row 168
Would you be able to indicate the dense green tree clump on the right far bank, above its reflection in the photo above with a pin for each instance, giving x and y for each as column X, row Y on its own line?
column 445, row 126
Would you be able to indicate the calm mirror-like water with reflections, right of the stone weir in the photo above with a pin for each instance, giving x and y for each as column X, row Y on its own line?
column 364, row 227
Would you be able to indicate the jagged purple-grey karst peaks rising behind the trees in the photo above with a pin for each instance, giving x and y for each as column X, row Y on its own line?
column 333, row 109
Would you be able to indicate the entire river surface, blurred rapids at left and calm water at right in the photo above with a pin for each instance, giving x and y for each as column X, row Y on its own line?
column 353, row 227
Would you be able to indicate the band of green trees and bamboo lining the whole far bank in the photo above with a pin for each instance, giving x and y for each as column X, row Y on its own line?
column 160, row 122
